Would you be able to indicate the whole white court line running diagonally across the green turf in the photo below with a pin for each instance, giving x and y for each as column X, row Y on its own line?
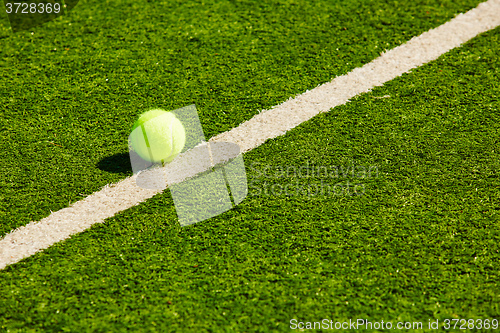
column 60, row 225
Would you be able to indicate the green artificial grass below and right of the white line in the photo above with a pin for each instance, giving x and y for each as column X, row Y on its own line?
column 421, row 243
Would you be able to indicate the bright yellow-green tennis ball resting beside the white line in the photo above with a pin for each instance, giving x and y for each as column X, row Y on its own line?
column 158, row 136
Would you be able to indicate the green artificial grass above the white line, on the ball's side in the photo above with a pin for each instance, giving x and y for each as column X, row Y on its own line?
column 71, row 89
